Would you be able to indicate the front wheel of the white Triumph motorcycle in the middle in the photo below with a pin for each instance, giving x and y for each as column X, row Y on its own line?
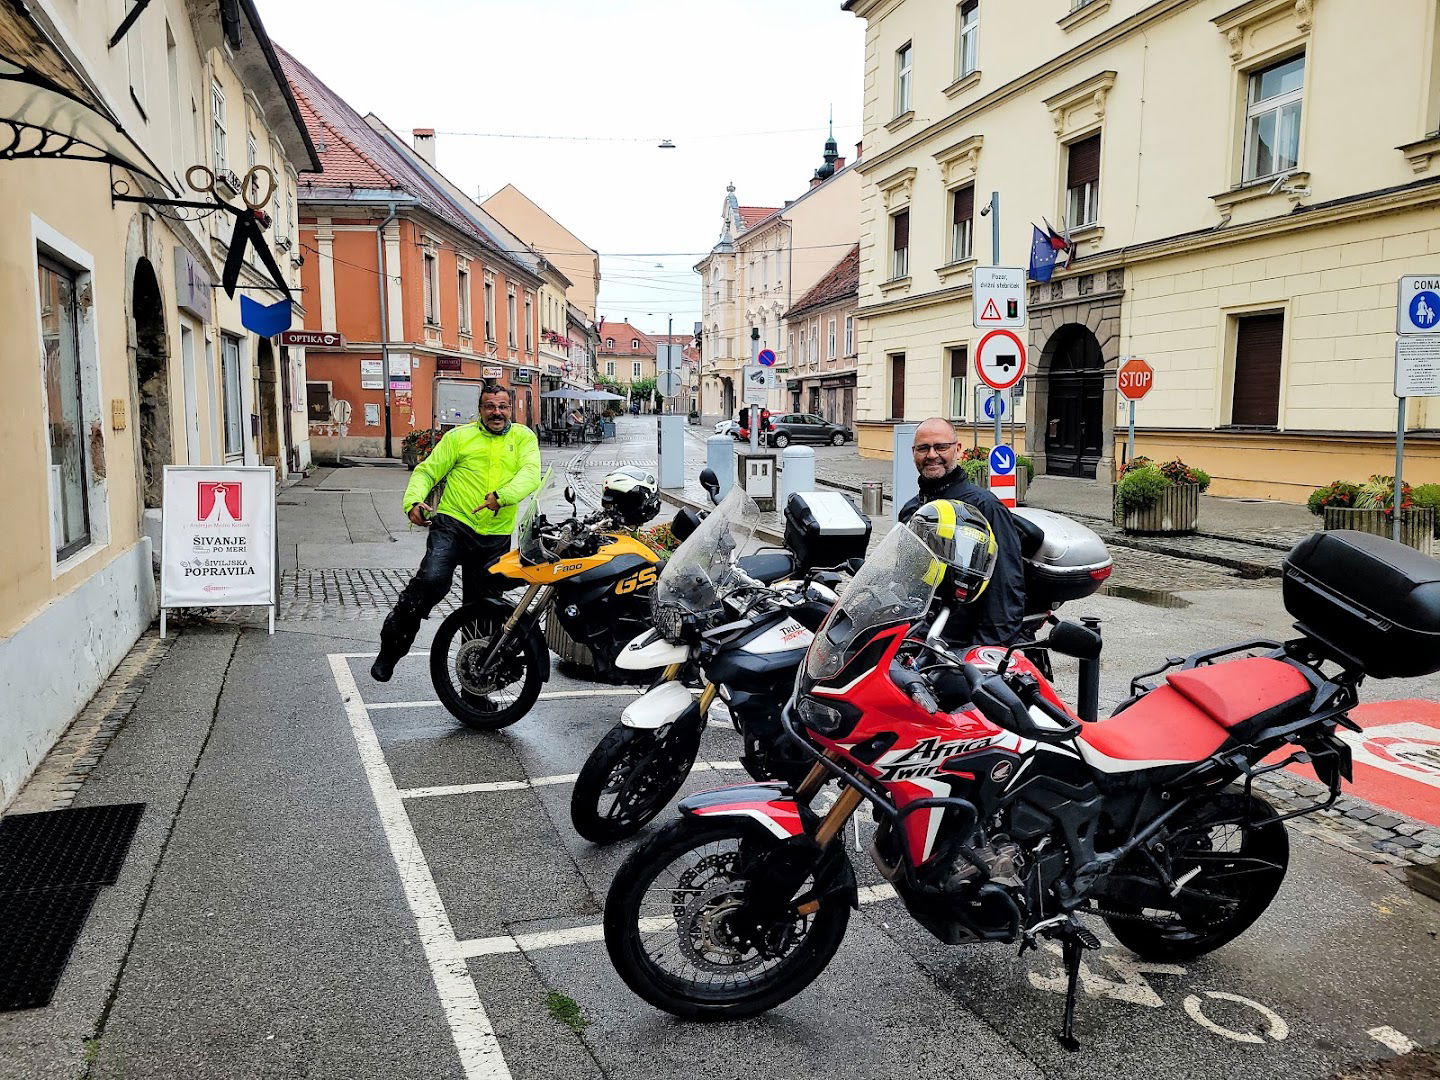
column 630, row 778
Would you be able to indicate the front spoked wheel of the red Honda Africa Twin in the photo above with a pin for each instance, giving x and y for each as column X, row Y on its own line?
column 675, row 934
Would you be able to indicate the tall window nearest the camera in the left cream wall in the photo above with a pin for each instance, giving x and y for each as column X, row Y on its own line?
column 64, row 391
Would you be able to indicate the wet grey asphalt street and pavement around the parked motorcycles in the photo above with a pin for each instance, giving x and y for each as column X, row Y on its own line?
column 333, row 878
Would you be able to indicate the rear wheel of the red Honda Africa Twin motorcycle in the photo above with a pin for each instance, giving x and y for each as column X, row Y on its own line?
column 1229, row 872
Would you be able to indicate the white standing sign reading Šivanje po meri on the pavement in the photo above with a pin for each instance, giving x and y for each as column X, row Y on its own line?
column 218, row 539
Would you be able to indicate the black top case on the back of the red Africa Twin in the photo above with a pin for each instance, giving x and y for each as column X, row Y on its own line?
column 1372, row 601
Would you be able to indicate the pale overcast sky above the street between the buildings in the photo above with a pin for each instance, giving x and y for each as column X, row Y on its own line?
column 716, row 78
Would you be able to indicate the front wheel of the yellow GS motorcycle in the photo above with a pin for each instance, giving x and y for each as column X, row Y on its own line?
column 480, row 690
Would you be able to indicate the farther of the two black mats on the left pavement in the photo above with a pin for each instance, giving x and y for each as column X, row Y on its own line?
column 83, row 846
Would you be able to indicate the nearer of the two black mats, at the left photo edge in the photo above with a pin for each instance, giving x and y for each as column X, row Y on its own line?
column 38, row 931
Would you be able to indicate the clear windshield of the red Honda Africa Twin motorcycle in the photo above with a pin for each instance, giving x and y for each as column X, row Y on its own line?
column 896, row 585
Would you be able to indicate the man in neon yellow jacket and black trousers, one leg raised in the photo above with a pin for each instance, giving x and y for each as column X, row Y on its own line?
column 489, row 469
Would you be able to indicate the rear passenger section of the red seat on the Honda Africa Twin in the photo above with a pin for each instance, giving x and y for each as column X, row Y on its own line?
column 1160, row 729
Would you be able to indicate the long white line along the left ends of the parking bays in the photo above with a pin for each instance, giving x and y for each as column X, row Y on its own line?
column 470, row 1026
